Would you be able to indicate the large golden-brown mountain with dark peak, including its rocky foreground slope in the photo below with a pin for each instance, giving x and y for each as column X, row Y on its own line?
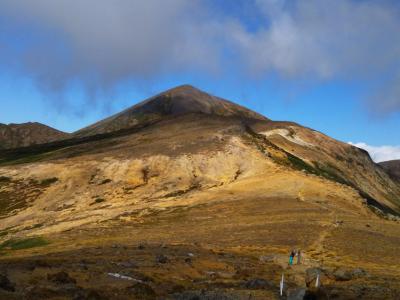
column 188, row 195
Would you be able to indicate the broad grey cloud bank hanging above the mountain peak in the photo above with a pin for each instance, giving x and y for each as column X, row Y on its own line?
column 101, row 43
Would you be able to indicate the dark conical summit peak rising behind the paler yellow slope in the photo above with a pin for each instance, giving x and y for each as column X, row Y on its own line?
column 184, row 99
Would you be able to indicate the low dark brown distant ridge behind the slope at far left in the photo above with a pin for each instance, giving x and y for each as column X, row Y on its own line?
column 27, row 134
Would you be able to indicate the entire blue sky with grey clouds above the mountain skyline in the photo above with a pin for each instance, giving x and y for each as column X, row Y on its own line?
column 329, row 65
